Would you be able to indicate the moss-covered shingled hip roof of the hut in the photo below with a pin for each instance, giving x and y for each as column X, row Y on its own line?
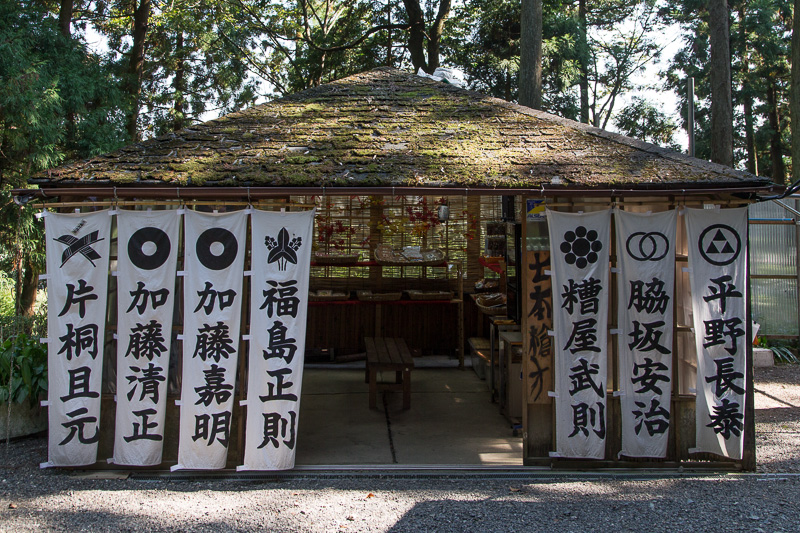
column 391, row 128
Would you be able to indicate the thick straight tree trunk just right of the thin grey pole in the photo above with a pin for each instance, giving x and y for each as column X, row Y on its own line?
column 720, row 77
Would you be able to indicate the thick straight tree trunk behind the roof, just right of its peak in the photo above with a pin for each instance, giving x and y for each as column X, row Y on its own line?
column 530, row 56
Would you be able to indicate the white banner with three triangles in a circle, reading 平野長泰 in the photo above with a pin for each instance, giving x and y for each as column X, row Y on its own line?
column 717, row 241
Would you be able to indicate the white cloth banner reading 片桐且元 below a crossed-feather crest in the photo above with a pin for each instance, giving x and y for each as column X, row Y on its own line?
column 77, row 270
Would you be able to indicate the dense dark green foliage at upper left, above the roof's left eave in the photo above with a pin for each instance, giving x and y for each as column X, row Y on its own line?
column 57, row 100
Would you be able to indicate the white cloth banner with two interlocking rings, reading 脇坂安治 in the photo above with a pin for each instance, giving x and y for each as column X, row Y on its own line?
column 646, row 285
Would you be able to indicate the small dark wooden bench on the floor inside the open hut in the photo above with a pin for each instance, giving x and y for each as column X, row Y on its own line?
column 386, row 354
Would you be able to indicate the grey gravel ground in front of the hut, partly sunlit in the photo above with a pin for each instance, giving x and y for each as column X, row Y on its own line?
column 34, row 500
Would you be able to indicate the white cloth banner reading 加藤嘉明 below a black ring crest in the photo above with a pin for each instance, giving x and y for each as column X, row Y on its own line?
column 212, row 302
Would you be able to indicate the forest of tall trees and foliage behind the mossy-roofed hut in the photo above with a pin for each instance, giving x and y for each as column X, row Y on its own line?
column 81, row 78
